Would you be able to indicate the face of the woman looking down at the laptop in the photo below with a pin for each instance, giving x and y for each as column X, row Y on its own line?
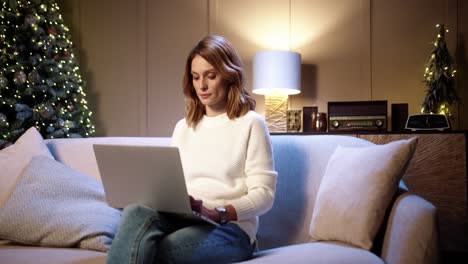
column 211, row 89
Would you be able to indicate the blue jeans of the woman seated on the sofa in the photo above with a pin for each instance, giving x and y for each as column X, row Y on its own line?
column 146, row 236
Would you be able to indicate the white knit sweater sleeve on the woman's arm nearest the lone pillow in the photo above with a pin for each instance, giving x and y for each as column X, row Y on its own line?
column 261, row 174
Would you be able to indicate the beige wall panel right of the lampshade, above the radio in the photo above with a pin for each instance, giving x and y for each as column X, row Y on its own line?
column 333, row 38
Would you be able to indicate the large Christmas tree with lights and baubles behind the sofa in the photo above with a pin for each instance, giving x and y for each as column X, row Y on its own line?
column 40, row 83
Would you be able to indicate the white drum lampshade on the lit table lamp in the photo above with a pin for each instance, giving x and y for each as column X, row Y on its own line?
column 277, row 71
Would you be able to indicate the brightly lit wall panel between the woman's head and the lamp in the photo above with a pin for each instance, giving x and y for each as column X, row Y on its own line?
column 251, row 26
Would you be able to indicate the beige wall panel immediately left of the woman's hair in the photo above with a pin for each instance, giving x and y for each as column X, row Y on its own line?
column 174, row 28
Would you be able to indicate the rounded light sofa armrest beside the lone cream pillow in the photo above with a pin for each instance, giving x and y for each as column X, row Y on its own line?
column 411, row 236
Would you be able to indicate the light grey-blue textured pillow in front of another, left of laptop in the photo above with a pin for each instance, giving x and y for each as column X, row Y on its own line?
column 53, row 205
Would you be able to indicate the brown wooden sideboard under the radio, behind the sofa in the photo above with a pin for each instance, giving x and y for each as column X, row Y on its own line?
column 437, row 172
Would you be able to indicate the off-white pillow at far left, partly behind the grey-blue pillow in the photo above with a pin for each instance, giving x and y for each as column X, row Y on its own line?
column 14, row 159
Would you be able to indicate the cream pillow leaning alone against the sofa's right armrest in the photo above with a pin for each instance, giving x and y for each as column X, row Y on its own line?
column 355, row 191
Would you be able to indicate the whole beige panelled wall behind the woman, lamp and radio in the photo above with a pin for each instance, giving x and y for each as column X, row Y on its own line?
column 132, row 53
